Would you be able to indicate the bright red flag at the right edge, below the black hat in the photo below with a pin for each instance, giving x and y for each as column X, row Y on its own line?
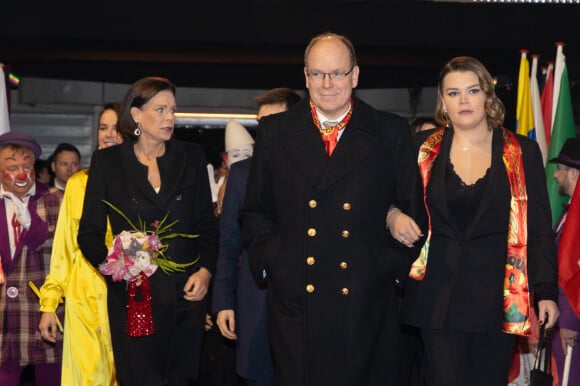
column 569, row 253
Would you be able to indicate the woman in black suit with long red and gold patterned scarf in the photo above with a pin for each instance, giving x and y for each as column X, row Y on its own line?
column 488, row 241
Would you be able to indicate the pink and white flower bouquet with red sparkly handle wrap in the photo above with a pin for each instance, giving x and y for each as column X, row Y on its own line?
column 134, row 256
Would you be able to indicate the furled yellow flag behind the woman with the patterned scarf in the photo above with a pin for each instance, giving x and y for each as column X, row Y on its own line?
column 524, row 114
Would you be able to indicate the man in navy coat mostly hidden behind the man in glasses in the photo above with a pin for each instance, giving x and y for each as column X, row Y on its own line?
column 240, row 304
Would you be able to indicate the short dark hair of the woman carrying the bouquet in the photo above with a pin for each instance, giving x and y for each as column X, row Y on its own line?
column 140, row 92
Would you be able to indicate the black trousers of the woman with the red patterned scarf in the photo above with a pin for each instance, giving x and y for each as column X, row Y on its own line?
column 458, row 358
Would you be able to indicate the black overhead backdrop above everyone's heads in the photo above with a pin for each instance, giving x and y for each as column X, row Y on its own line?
column 259, row 44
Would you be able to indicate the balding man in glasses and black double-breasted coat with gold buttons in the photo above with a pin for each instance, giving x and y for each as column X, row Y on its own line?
column 314, row 226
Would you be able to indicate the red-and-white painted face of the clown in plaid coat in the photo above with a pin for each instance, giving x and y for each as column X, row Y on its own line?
column 17, row 170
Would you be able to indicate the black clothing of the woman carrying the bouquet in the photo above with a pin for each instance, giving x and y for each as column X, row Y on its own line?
column 172, row 352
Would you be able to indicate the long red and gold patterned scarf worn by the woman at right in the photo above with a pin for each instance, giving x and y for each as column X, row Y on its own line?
column 516, row 299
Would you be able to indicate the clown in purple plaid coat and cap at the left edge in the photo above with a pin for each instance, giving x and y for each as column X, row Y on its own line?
column 28, row 216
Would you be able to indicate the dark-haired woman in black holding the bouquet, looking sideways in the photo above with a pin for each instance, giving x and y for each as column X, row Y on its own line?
column 148, row 177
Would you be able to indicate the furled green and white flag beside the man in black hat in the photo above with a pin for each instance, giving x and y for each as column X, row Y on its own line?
column 562, row 129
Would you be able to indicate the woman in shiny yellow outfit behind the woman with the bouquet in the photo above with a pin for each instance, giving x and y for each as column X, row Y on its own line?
column 87, row 351
